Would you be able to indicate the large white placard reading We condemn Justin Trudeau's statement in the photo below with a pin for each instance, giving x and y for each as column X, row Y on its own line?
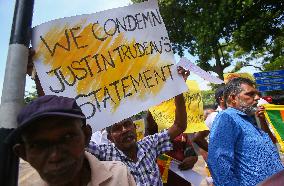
column 115, row 63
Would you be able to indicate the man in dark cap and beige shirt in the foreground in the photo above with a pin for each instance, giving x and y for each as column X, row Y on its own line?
column 52, row 136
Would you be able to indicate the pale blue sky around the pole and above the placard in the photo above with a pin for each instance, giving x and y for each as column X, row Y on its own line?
column 46, row 10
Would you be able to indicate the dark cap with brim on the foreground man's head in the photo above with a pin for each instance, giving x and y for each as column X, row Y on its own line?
column 43, row 107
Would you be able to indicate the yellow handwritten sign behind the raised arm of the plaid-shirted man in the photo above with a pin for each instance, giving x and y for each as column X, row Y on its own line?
column 164, row 114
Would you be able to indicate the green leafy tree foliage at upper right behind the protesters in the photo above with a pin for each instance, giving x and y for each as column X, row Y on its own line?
column 221, row 32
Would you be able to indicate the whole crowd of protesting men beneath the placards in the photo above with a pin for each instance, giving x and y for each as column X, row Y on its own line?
column 54, row 138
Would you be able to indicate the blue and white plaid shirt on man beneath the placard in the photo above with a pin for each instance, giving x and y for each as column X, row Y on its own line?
column 145, row 170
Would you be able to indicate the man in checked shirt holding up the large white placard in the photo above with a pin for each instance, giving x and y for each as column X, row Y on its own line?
column 140, row 156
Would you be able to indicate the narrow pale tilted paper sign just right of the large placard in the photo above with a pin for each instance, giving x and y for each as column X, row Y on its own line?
column 185, row 63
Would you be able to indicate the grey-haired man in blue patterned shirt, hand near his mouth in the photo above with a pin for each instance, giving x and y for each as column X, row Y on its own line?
column 240, row 153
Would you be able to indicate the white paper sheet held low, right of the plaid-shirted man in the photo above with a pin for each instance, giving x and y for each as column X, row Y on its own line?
column 189, row 175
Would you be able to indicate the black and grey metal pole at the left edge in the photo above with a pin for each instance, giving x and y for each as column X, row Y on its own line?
column 14, row 88
